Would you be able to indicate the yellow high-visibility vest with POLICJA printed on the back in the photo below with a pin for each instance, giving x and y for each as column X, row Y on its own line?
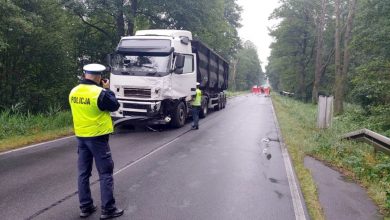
column 88, row 119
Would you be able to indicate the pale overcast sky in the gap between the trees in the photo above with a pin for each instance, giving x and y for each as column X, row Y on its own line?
column 255, row 25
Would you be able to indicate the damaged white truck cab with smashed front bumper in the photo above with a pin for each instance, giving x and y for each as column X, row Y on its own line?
column 154, row 76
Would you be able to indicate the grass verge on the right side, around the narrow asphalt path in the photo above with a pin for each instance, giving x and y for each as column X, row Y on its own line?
column 355, row 160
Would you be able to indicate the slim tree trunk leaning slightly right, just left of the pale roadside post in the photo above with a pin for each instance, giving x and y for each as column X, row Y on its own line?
column 319, row 52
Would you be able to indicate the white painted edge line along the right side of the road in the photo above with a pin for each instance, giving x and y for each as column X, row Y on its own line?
column 292, row 182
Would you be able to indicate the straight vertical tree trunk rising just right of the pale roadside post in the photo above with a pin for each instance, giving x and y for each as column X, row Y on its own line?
column 338, row 74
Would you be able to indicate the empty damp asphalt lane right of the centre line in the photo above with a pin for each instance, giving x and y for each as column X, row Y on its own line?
column 217, row 172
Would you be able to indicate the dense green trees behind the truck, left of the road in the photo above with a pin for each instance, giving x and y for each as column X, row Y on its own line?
column 43, row 44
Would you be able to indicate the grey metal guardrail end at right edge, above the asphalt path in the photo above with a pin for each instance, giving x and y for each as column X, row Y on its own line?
column 379, row 142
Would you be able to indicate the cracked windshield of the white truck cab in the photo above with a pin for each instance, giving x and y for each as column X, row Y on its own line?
column 141, row 65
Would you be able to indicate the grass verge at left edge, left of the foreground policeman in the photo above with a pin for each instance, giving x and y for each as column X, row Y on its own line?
column 20, row 129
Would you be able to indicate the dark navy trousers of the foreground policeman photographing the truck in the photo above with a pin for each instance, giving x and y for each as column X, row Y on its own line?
column 98, row 148
